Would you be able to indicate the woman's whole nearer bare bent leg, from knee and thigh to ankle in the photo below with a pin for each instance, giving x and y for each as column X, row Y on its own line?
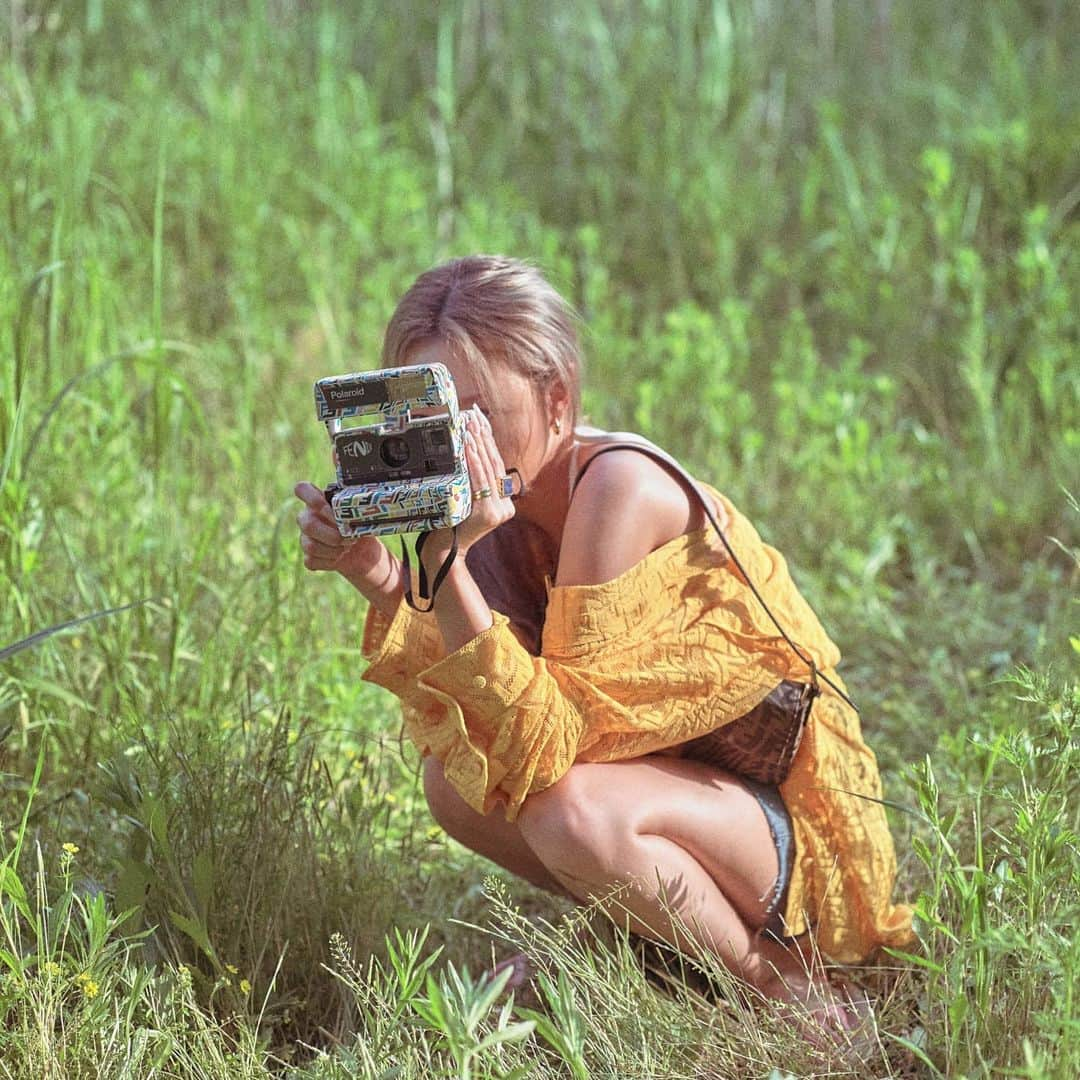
column 682, row 835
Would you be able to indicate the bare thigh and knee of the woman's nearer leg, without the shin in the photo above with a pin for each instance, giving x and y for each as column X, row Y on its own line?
column 601, row 807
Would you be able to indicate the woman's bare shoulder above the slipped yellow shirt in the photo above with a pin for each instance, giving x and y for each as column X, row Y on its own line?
column 626, row 507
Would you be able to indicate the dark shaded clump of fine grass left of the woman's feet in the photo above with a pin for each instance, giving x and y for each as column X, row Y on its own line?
column 246, row 848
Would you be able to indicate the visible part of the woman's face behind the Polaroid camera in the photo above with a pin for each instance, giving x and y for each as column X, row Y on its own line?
column 520, row 423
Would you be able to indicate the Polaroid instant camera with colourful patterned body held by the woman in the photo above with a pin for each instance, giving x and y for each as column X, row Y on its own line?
column 396, row 472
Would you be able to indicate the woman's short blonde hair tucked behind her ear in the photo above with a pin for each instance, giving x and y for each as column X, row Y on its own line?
column 492, row 309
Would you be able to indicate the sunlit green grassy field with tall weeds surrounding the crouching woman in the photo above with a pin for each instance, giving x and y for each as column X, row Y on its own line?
column 827, row 254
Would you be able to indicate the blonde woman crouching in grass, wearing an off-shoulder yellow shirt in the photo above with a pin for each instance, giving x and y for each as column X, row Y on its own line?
column 591, row 638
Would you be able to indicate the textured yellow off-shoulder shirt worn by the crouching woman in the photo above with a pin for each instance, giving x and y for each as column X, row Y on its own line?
column 671, row 650
